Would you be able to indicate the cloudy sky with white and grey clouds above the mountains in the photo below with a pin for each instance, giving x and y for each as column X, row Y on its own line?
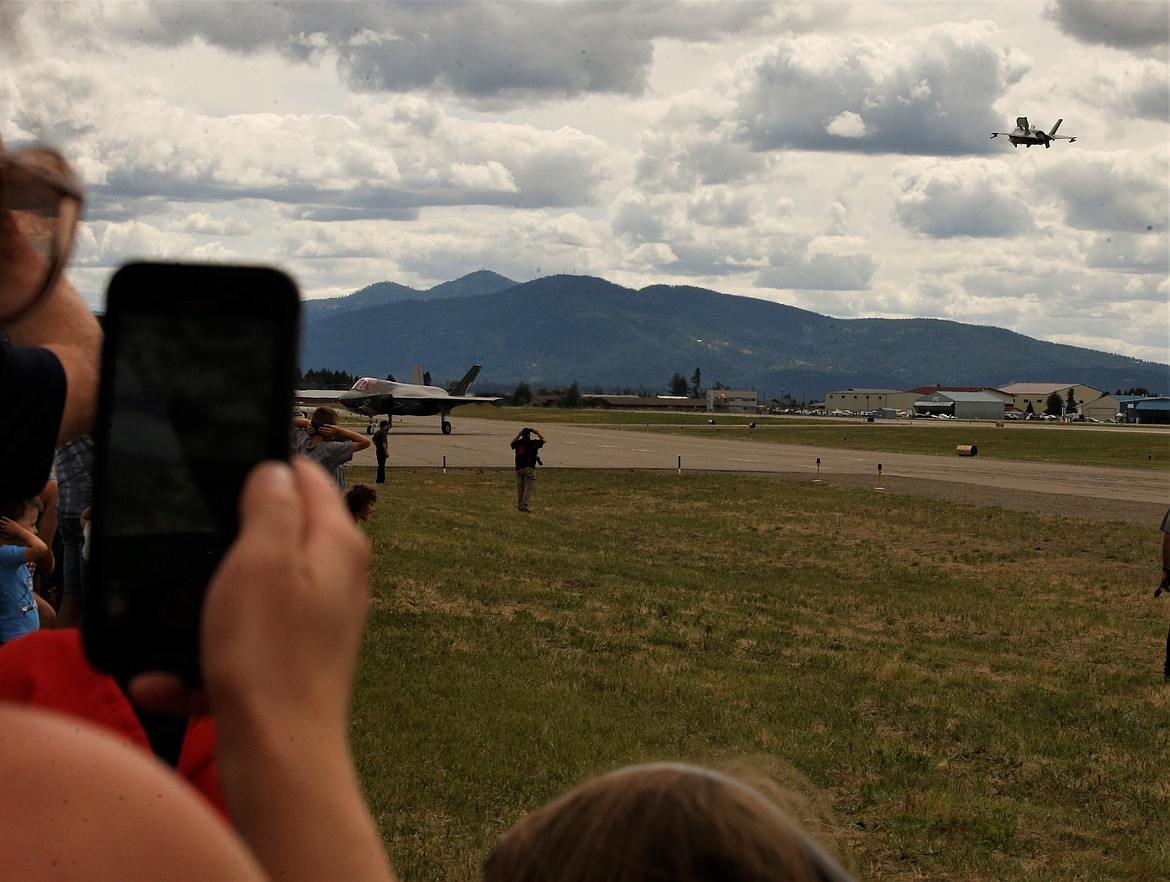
column 831, row 156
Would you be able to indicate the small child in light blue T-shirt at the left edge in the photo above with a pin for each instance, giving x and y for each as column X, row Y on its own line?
column 22, row 547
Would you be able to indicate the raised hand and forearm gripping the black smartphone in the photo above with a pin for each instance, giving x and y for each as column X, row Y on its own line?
column 281, row 632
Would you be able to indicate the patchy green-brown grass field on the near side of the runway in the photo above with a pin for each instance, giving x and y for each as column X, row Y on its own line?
column 975, row 693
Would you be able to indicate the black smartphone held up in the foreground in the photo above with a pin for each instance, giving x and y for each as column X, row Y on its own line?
column 196, row 389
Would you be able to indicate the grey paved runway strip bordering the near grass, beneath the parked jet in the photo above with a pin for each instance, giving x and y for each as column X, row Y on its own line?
column 417, row 443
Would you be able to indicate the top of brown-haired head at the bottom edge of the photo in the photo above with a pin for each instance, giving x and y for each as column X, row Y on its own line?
column 660, row 823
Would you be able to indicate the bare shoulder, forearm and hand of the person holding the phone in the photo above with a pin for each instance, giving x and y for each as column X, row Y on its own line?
column 283, row 601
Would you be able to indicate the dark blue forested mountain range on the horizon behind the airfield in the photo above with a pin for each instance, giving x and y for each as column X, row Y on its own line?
column 558, row 330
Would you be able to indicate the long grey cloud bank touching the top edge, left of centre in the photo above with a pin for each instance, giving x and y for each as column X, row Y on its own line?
column 493, row 54
